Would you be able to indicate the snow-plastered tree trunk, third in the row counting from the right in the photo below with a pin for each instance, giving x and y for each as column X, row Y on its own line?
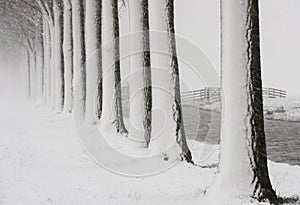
column 140, row 70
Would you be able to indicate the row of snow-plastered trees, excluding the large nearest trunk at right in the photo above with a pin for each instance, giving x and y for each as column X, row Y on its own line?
column 70, row 69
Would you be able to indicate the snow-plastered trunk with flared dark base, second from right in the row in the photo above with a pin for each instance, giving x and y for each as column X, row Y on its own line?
column 167, row 119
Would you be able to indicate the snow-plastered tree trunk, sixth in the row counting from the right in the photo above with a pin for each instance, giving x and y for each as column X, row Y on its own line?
column 79, row 79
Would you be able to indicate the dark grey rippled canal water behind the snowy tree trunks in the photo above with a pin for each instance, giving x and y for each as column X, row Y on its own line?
column 283, row 138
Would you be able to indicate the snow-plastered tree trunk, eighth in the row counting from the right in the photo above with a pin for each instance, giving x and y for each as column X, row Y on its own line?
column 59, row 54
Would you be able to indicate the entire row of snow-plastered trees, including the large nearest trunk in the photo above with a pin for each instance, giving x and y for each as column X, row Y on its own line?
column 72, row 49
